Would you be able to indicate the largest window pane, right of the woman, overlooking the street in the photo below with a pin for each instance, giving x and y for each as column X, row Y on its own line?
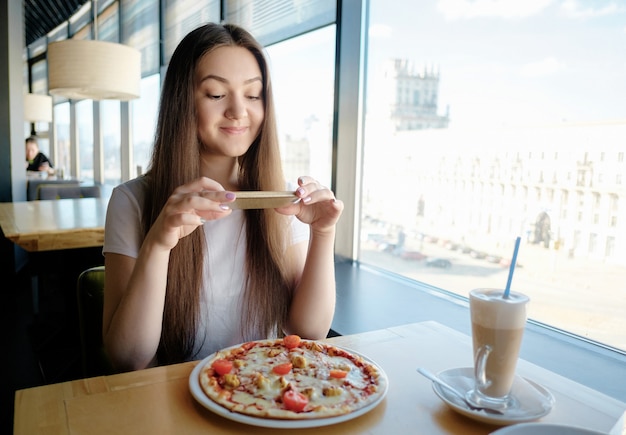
column 491, row 120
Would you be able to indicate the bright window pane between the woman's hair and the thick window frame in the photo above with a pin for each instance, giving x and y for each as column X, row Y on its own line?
column 303, row 71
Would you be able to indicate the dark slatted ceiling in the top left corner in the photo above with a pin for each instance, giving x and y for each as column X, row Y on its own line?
column 42, row 16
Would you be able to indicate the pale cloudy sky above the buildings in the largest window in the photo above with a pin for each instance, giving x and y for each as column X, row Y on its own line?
column 511, row 62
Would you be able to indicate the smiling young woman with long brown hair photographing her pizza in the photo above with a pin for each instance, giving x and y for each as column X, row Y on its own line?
column 186, row 275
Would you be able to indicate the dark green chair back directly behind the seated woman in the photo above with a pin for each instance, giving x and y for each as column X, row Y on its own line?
column 90, row 293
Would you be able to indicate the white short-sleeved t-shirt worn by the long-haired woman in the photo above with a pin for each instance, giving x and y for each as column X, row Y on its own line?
column 220, row 325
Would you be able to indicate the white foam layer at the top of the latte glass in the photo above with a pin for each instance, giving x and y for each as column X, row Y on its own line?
column 491, row 310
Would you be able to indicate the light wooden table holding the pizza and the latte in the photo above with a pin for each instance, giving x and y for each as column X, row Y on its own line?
column 158, row 401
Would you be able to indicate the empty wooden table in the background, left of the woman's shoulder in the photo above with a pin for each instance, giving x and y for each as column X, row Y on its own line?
column 54, row 225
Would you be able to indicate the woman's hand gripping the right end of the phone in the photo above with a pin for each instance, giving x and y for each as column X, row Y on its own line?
column 317, row 207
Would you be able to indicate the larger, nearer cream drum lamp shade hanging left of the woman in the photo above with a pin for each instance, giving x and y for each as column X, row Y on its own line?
column 97, row 70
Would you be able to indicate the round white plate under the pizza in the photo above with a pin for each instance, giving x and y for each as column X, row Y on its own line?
column 201, row 397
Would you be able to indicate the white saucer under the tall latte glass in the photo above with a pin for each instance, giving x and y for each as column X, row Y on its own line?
column 532, row 400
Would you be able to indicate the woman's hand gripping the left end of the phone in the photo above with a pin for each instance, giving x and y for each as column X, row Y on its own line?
column 188, row 207
